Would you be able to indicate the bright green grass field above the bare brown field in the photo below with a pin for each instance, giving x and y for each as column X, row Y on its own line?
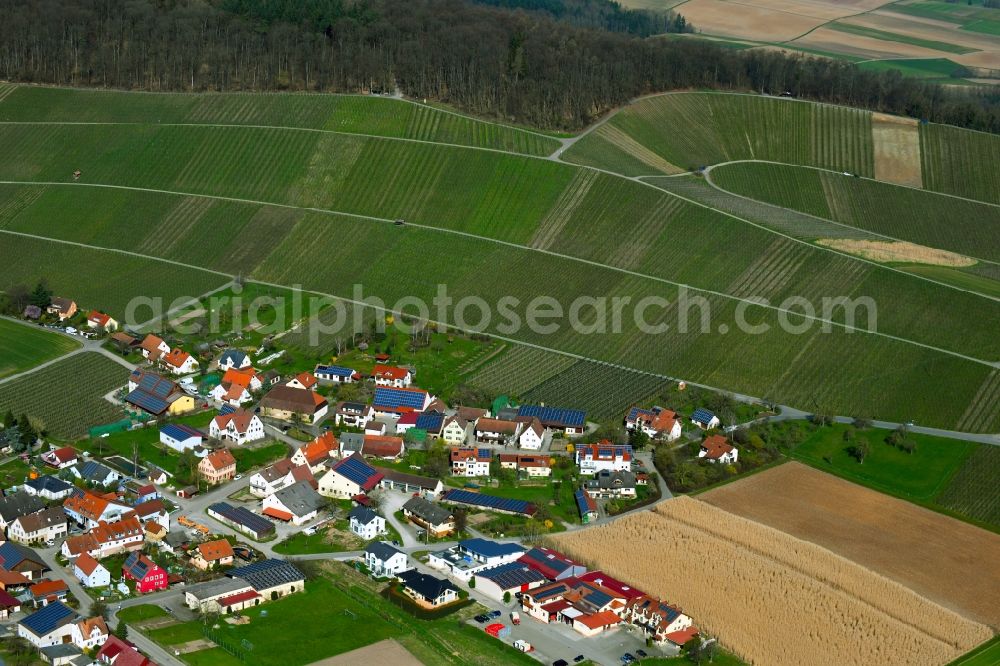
column 920, row 475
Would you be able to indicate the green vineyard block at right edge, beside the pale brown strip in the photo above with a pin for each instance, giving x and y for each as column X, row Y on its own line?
column 960, row 162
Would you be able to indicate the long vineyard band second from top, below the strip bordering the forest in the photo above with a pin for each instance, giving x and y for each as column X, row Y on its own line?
column 552, row 208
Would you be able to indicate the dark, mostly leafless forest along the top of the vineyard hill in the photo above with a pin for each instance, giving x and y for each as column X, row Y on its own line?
column 525, row 66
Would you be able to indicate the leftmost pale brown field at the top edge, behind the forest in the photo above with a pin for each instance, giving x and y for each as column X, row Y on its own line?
column 717, row 17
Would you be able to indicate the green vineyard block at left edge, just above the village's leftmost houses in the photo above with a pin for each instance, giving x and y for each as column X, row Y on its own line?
column 99, row 279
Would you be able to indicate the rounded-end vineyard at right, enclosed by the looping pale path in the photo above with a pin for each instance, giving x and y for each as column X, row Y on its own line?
column 903, row 213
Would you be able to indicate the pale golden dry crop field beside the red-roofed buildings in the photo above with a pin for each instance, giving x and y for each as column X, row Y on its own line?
column 769, row 597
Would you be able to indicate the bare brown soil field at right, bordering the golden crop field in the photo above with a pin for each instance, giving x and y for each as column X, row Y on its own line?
column 943, row 559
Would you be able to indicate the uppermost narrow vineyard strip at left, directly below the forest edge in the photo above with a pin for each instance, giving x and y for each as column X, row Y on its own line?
column 356, row 114
